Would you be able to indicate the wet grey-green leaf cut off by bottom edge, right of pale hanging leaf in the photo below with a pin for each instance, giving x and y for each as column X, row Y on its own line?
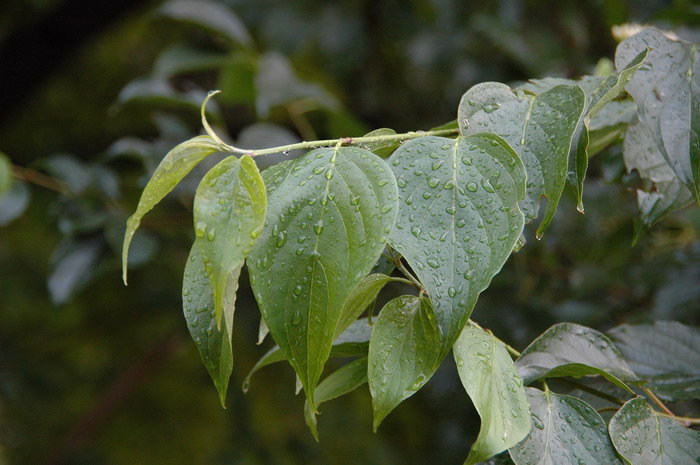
column 565, row 431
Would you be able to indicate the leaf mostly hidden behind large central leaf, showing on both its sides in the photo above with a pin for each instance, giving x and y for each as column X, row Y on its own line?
column 353, row 342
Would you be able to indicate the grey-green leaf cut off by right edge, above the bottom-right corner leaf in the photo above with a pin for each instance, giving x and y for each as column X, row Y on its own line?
column 666, row 354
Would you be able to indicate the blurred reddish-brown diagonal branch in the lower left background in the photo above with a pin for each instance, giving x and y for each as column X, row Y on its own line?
column 111, row 400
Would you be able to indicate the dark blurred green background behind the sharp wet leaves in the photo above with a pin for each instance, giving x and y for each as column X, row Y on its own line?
column 93, row 94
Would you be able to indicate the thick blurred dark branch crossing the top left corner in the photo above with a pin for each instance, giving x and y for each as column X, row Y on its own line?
column 31, row 54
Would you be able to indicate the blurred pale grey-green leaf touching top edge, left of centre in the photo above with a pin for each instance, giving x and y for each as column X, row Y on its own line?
column 209, row 15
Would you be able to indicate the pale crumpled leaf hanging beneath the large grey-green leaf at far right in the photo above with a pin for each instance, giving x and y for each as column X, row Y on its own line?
column 668, row 193
